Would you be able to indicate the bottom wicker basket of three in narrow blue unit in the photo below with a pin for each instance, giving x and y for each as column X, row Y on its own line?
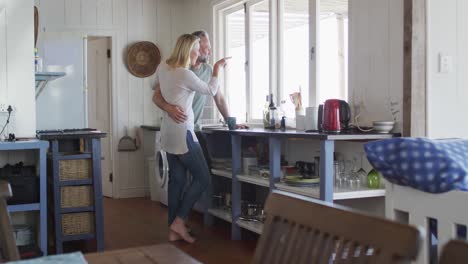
column 78, row 223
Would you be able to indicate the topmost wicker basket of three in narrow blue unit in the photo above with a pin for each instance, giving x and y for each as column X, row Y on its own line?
column 80, row 169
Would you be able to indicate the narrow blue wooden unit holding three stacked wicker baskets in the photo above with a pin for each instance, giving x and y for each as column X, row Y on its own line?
column 76, row 186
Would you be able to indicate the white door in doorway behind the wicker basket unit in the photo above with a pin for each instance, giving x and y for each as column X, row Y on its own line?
column 98, row 92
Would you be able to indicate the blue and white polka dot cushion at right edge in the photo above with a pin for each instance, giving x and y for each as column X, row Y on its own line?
column 434, row 166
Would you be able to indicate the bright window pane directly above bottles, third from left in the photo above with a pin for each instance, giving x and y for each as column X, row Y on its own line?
column 296, row 50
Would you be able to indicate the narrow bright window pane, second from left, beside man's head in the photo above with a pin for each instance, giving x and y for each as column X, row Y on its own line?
column 260, row 54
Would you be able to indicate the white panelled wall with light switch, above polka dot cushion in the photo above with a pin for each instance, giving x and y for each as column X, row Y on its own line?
column 447, row 93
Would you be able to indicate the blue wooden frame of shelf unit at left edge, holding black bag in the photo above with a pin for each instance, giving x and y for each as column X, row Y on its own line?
column 41, row 207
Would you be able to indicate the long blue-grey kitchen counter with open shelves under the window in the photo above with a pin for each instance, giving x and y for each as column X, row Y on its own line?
column 325, row 191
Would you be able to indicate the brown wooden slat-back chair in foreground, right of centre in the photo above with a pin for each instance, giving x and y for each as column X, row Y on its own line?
column 300, row 230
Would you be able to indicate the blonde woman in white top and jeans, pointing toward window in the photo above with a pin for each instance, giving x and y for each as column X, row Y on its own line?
column 178, row 85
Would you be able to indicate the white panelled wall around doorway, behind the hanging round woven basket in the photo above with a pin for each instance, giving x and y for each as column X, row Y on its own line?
column 127, row 21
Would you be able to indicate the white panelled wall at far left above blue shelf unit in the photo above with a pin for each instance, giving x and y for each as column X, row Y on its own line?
column 17, row 65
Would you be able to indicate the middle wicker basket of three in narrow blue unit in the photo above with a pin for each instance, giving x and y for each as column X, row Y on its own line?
column 76, row 196
